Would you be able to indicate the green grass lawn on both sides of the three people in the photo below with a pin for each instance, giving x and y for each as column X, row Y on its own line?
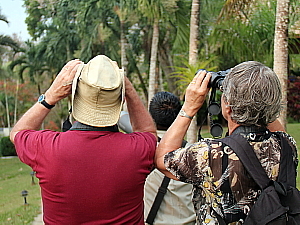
column 15, row 177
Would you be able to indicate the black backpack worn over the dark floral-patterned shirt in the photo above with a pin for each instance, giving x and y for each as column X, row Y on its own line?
column 275, row 200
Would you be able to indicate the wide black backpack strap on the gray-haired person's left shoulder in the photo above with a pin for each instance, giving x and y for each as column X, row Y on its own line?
column 245, row 153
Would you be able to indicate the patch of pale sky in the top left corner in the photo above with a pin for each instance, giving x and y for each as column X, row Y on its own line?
column 15, row 14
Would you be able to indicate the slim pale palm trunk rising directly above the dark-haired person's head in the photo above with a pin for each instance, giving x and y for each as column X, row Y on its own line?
column 153, row 59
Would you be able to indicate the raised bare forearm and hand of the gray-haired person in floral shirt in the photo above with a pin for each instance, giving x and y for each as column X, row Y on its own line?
column 195, row 96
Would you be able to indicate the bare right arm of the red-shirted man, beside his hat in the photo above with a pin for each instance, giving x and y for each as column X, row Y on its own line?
column 140, row 118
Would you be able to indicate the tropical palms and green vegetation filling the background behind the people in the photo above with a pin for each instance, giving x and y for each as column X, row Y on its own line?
column 159, row 43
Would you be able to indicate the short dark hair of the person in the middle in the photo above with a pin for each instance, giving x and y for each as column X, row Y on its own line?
column 164, row 108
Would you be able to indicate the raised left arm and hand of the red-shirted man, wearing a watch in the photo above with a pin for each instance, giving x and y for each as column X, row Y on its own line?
column 60, row 88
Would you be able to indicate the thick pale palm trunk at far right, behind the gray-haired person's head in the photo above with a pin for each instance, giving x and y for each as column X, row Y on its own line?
column 280, row 66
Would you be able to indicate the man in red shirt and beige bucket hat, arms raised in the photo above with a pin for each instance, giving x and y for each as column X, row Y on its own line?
column 91, row 174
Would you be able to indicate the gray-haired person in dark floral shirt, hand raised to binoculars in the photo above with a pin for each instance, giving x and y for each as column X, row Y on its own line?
column 251, row 103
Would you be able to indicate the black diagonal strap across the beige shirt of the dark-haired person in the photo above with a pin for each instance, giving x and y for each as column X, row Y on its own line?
column 162, row 190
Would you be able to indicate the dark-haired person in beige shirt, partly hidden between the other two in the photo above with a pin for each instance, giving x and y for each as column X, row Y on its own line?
column 175, row 207
